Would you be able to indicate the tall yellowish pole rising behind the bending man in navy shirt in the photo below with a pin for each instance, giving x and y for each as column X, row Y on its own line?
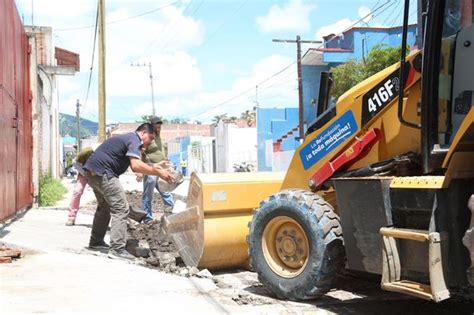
column 102, row 99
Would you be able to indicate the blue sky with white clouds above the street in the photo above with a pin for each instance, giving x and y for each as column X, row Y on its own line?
column 208, row 57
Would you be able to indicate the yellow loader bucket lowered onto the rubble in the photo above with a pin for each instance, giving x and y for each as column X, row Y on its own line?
column 211, row 233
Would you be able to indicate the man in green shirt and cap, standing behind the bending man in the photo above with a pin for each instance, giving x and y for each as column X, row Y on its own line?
column 154, row 154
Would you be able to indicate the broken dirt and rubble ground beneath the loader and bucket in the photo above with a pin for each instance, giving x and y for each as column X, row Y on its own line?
column 353, row 294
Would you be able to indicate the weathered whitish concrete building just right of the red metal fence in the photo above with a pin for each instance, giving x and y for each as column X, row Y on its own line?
column 46, row 63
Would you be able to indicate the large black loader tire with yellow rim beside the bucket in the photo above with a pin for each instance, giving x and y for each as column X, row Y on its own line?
column 296, row 245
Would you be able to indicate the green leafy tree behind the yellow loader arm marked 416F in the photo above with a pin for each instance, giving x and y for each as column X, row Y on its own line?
column 353, row 72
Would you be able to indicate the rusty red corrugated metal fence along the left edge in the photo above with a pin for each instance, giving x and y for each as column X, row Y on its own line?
column 15, row 114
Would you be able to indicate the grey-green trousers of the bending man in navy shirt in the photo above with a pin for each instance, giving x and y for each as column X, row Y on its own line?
column 111, row 203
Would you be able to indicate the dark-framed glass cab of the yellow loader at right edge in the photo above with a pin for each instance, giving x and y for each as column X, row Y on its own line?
column 447, row 84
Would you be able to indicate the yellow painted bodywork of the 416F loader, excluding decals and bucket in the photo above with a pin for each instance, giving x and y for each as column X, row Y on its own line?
column 396, row 138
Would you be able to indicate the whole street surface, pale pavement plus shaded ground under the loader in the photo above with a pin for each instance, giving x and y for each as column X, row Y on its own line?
column 58, row 275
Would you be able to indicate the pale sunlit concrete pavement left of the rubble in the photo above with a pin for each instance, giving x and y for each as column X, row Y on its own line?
column 58, row 275
